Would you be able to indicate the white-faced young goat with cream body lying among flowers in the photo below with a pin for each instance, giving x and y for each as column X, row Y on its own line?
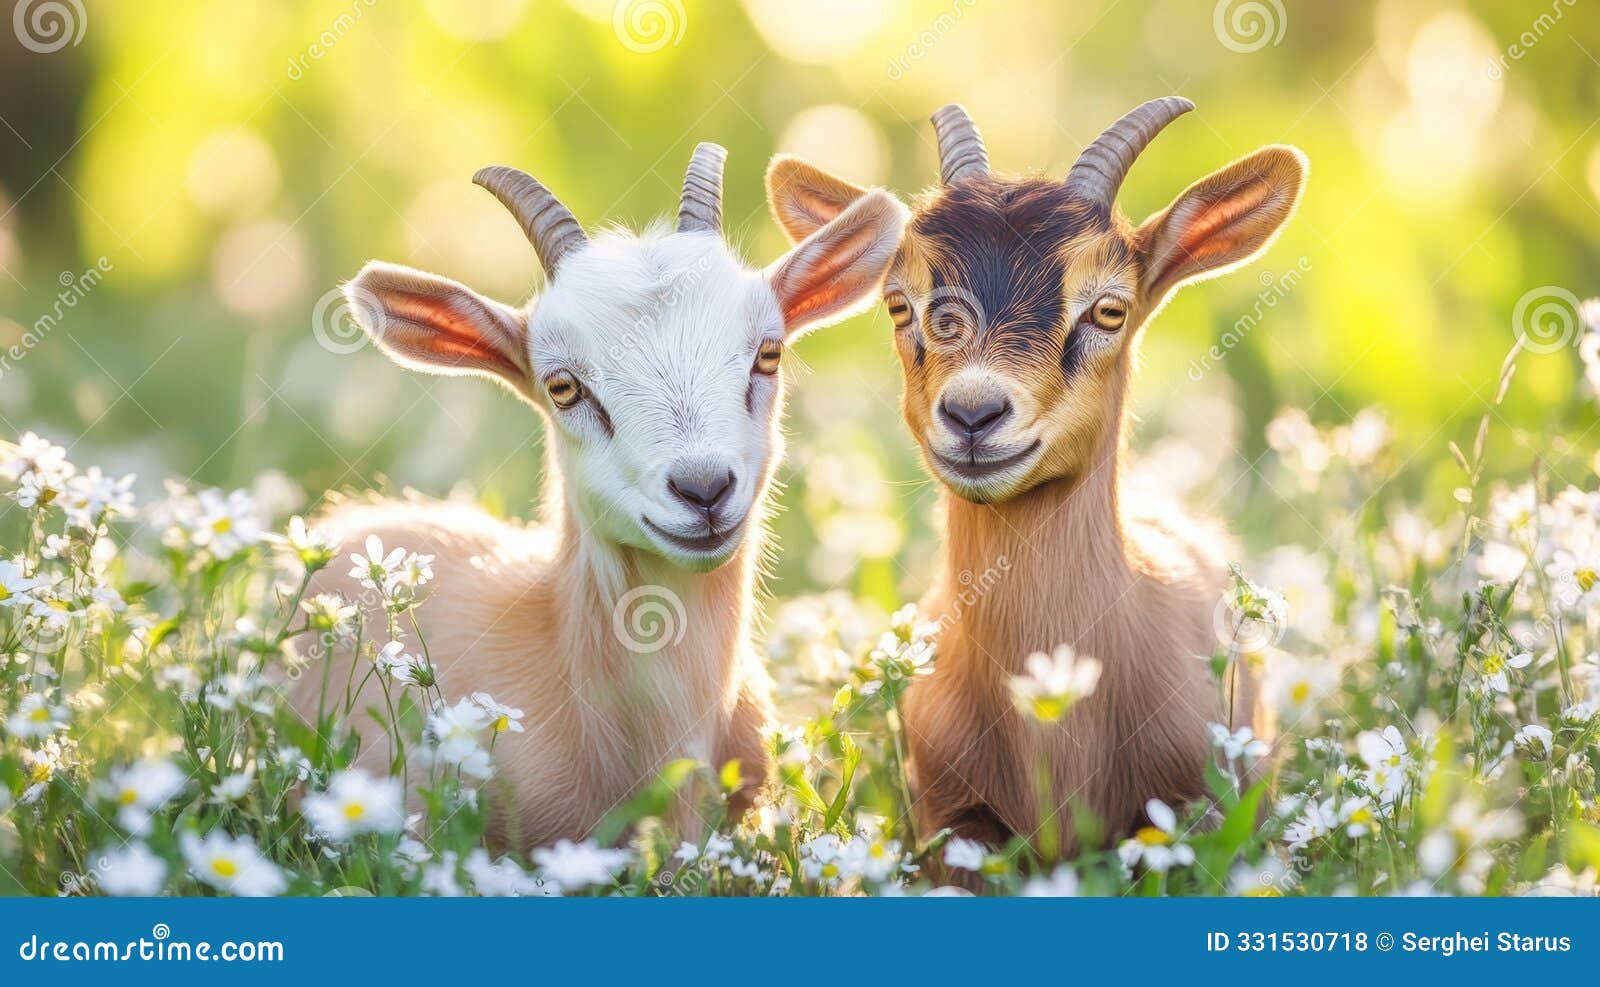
column 622, row 621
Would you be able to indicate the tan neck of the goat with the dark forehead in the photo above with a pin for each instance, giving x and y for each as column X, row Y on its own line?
column 1050, row 562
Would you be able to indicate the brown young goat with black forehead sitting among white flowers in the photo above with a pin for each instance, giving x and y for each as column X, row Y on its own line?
column 1017, row 306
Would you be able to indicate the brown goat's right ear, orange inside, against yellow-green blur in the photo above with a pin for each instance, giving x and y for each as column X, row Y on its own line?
column 1223, row 220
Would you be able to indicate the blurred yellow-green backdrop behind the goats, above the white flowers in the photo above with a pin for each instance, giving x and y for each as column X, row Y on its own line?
column 226, row 166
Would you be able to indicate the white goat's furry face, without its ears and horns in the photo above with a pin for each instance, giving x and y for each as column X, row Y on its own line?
column 658, row 361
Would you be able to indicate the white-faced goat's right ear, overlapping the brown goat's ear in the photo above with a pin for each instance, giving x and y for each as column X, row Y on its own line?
column 836, row 271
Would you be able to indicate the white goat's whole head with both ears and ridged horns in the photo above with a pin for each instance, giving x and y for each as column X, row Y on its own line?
column 657, row 358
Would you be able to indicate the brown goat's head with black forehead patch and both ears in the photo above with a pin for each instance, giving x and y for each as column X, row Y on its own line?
column 1017, row 303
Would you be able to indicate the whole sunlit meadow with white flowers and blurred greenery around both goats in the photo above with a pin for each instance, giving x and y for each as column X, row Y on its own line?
column 1393, row 412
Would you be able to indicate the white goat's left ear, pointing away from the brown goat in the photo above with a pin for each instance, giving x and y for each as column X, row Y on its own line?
column 438, row 326
